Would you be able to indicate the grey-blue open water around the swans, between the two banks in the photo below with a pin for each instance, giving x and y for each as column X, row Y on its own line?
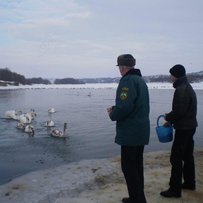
column 90, row 131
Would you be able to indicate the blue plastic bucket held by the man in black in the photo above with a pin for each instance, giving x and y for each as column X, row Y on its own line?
column 165, row 134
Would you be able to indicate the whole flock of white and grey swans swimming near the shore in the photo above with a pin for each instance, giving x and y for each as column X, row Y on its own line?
column 25, row 120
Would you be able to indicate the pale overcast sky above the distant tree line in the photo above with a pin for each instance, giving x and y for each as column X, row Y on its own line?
column 82, row 38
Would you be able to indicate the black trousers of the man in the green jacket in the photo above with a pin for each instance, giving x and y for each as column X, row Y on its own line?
column 132, row 168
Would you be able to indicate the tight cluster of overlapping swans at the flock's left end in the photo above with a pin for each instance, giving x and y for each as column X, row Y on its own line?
column 24, row 119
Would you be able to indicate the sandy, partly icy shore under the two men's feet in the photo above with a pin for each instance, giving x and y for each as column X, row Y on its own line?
column 97, row 181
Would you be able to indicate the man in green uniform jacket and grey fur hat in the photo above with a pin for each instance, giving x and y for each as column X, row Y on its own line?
column 131, row 113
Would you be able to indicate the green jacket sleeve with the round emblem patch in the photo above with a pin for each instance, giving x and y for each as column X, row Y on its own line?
column 125, row 98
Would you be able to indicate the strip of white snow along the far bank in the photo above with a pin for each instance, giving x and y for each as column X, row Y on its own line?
column 95, row 86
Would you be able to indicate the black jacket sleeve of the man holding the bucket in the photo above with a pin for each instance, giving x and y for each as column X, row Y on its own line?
column 180, row 105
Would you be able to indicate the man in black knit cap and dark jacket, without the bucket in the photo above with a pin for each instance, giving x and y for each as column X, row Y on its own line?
column 183, row 118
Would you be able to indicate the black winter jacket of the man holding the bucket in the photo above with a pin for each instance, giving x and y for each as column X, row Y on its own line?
column 184, row 106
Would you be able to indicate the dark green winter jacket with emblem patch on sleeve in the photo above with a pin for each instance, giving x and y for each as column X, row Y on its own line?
column 131, row 110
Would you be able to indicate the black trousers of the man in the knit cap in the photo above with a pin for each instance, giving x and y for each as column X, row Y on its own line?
column 182, row 160
